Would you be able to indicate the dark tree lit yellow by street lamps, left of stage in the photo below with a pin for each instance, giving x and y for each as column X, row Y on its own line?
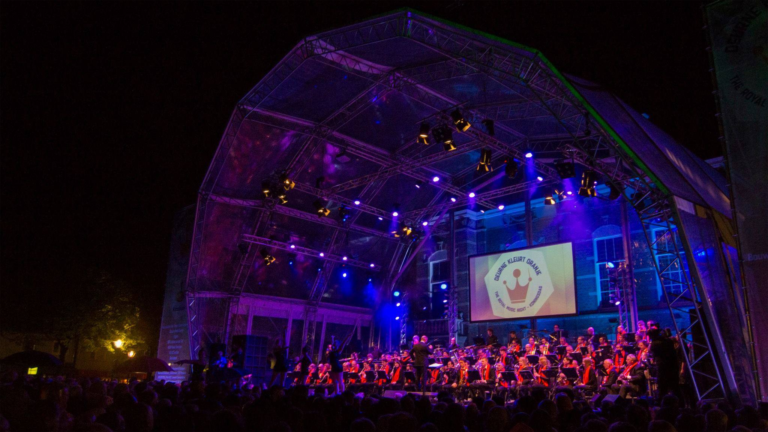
column 97, row 312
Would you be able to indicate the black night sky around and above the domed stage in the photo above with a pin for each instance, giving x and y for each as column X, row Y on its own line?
column 111, row 112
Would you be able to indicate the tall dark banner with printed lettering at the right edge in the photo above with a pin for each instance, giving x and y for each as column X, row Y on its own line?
column 739, row 34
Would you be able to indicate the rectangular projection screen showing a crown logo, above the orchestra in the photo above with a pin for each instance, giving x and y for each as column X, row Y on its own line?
column 525, row 283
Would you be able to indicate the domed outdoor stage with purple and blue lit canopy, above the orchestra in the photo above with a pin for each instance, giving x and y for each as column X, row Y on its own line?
column 370, row 183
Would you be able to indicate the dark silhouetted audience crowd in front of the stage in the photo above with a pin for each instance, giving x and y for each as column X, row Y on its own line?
column 59, row 404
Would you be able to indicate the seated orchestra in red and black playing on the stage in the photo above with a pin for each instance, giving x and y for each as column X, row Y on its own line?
column 591, row 365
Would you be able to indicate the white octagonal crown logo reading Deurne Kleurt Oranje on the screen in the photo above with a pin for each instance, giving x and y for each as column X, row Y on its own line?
column 518, row 284
